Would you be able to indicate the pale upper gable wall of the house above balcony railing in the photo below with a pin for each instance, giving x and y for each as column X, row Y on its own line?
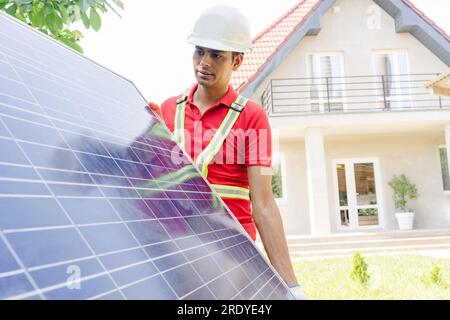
column 351, row 30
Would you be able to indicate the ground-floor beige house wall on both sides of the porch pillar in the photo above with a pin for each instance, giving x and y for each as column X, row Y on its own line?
column 414, row 154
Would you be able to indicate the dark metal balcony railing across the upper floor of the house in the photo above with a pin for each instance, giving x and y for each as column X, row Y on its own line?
column 382, row 93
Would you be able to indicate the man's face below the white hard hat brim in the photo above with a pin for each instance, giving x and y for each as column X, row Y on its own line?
column 213, row 68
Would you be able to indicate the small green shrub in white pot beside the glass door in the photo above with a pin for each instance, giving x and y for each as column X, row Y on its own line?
column 403, row 190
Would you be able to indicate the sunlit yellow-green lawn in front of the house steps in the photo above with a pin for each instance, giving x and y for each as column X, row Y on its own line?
column 391, row 277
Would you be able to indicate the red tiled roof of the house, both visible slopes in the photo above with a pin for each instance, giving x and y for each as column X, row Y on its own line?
column 266, row 44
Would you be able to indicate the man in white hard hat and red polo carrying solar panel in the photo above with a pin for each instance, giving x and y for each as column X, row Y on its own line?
column 221, row 36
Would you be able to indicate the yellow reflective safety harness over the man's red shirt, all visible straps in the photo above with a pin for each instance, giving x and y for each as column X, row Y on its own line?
column 207, row 155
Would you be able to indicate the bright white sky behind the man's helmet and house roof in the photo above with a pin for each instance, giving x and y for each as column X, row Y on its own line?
column 148, row 43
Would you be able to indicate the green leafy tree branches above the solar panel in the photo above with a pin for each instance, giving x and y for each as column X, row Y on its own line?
column 56, row 17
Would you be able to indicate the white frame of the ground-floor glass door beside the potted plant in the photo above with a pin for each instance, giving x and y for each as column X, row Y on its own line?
column 351, row 186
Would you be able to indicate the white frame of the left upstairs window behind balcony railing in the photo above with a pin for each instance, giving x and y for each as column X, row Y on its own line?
column 321, row 100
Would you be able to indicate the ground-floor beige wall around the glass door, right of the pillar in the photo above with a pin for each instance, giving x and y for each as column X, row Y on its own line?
column 414, row 154
